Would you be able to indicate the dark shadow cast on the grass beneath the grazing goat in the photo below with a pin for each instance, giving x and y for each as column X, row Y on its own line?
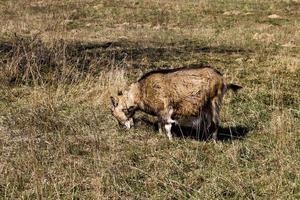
column 182, row 132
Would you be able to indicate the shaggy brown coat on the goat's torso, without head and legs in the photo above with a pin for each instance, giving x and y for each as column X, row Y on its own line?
column 187, row 89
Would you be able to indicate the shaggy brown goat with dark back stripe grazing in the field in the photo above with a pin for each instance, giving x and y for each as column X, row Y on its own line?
column 174, row 94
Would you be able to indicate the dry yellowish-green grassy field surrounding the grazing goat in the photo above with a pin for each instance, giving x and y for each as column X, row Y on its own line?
column 61, row 60
